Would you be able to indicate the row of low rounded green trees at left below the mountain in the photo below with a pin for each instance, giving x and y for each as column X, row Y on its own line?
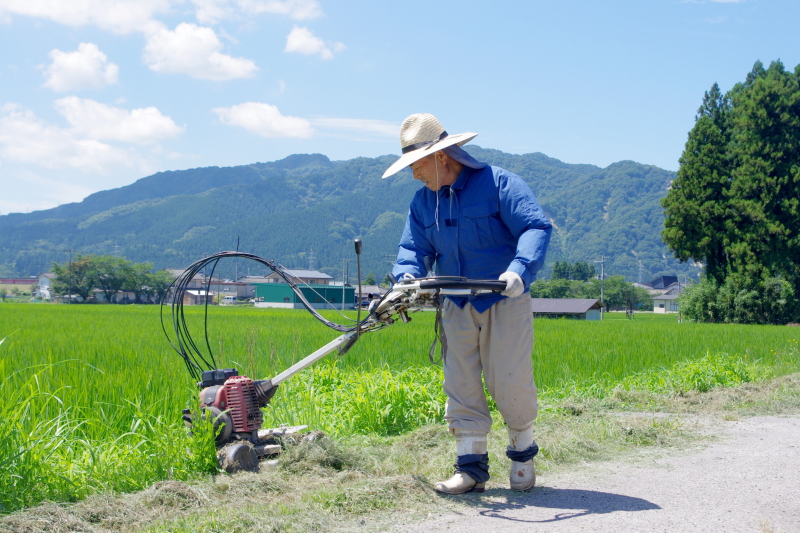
column 110, row 274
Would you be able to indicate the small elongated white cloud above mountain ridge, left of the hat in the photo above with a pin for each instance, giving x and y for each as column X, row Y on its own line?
column 264, row 120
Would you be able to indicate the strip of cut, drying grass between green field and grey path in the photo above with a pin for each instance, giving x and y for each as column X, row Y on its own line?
column 367, row 482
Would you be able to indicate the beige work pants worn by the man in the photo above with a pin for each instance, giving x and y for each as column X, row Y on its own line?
column 497, row 343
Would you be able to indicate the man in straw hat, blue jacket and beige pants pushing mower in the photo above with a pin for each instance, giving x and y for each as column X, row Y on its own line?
column 479, row 222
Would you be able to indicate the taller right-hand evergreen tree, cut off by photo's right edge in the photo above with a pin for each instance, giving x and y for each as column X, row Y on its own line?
column 765, row 189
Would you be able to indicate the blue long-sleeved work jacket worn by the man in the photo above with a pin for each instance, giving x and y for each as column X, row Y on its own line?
column 488, row 222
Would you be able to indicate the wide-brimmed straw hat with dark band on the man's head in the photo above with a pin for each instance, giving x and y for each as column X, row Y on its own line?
column 420, row 135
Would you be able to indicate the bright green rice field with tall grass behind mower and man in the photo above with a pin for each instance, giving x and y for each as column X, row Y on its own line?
column 92, row 394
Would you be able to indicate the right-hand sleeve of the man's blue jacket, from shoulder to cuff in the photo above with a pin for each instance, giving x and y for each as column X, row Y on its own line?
column 524, row 217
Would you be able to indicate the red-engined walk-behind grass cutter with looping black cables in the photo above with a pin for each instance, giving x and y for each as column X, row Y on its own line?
column 234, row 402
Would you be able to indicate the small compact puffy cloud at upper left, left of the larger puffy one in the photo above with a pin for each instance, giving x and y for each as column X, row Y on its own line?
column 86, row 68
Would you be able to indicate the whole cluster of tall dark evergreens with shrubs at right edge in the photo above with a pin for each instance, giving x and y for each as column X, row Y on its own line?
column 734, row 206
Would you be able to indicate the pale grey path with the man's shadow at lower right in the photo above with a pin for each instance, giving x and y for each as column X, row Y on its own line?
column 748, row 480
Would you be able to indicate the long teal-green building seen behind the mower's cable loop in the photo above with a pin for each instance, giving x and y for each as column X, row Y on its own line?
column 281, row 295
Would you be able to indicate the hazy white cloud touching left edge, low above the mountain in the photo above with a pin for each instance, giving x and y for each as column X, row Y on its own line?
column 25, row 138
